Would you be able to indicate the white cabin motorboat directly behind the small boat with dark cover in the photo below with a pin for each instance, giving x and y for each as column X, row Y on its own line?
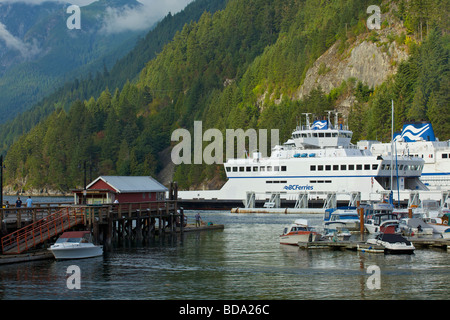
column 380, row 218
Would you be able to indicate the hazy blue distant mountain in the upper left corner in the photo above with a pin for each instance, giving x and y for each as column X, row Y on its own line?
column 39, row 52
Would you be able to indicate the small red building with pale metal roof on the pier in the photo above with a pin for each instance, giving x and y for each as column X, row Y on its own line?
column 109, row 189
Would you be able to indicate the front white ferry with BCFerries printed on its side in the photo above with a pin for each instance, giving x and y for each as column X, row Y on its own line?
column 318, row 159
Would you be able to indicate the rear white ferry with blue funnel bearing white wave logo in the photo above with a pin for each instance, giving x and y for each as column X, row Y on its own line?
column 417, row 139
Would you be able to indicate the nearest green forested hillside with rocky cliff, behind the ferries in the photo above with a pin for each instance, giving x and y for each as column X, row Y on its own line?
column 242, row 67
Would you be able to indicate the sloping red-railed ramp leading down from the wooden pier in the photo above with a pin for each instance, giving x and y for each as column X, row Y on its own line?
column 41, row 230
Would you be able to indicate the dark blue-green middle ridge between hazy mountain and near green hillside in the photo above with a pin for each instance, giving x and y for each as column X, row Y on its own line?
column 91, row 85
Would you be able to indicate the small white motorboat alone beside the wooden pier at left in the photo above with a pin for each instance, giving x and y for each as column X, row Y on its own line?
column 75, row 245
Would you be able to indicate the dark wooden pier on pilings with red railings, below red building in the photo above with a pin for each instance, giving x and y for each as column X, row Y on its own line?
column 132, row 221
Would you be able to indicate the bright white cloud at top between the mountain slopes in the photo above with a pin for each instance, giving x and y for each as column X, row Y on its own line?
column 142, row 18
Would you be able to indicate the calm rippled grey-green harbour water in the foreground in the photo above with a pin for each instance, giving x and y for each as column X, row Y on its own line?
column 243, row 261
